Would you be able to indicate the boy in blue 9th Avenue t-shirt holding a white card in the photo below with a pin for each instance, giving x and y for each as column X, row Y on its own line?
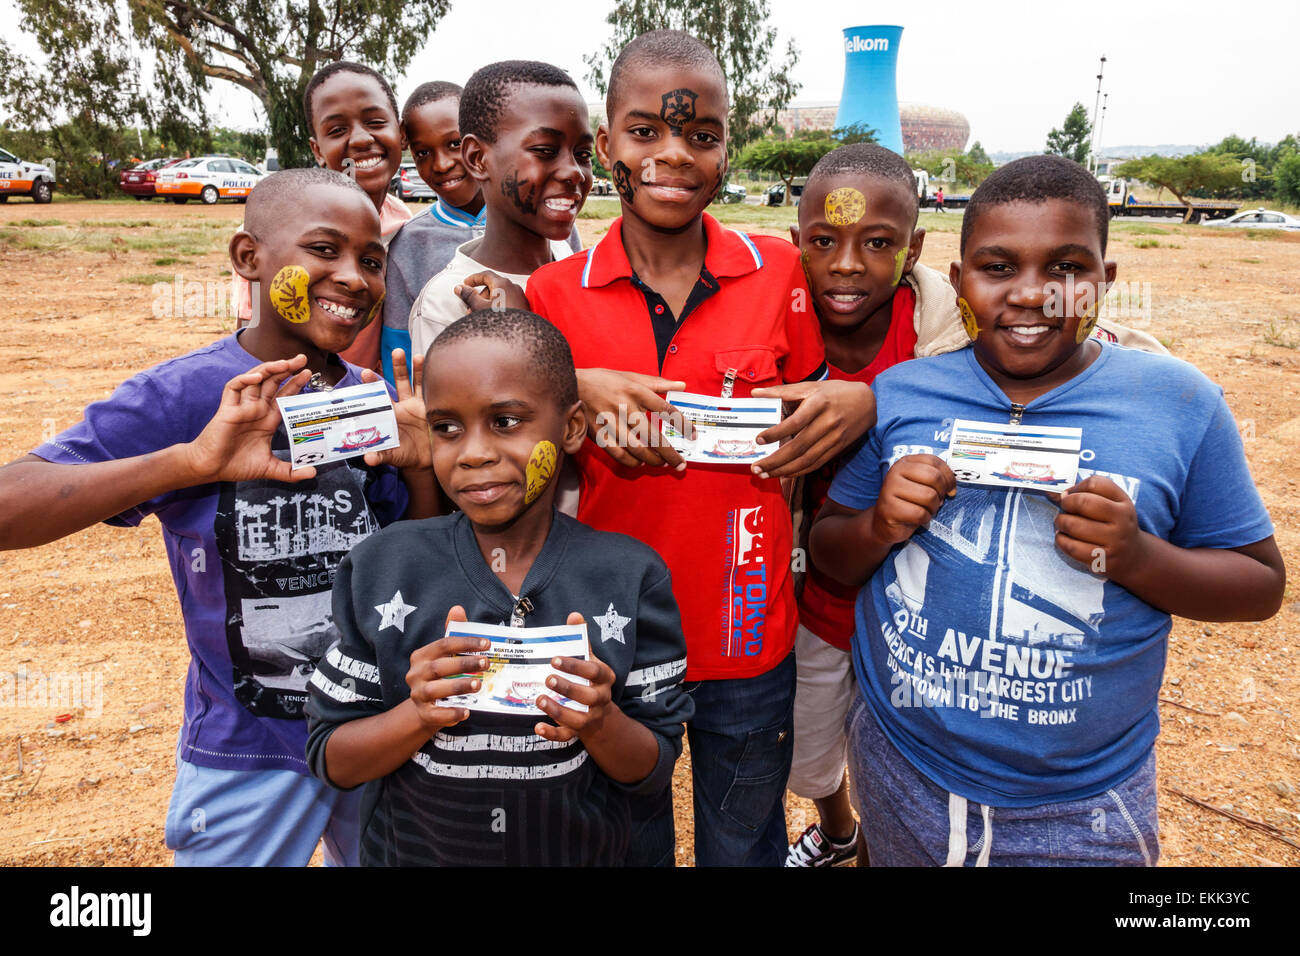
column 1011, row 643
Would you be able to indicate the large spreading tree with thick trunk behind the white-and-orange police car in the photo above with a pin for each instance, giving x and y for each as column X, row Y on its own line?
column 272, row 49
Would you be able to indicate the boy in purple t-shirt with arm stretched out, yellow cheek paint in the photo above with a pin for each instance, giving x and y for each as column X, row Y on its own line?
column 198, row 442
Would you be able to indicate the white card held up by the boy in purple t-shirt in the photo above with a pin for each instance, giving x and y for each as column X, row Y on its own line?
column 332, row 426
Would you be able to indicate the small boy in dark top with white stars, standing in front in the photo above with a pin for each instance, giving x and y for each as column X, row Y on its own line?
column 453, row 788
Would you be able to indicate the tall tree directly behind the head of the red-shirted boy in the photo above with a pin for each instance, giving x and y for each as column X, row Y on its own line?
column 738, row 33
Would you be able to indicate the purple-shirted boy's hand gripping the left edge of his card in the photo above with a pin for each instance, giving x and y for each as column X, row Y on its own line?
column 236, row 444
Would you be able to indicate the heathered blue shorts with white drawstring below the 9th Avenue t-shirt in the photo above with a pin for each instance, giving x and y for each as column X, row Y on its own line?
column 911, row 821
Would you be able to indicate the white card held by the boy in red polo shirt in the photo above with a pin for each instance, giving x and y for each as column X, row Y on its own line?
column 725, row 427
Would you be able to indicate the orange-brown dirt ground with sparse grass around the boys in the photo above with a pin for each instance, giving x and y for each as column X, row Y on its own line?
column 89, row 785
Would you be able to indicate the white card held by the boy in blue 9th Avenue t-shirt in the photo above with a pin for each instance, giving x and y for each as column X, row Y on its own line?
column 995, row 453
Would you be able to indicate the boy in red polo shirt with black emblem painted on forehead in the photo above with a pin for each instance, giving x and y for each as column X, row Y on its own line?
column 683, row 304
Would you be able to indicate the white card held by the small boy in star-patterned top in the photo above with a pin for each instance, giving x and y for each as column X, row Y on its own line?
column 519, row 663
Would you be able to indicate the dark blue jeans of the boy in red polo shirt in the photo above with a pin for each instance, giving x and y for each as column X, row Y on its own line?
column 742, row 743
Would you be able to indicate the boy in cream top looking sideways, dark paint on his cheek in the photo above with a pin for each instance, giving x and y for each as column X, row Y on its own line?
column 527, row 142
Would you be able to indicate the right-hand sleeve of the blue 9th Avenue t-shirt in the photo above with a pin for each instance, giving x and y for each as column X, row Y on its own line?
column 1220, row 507
